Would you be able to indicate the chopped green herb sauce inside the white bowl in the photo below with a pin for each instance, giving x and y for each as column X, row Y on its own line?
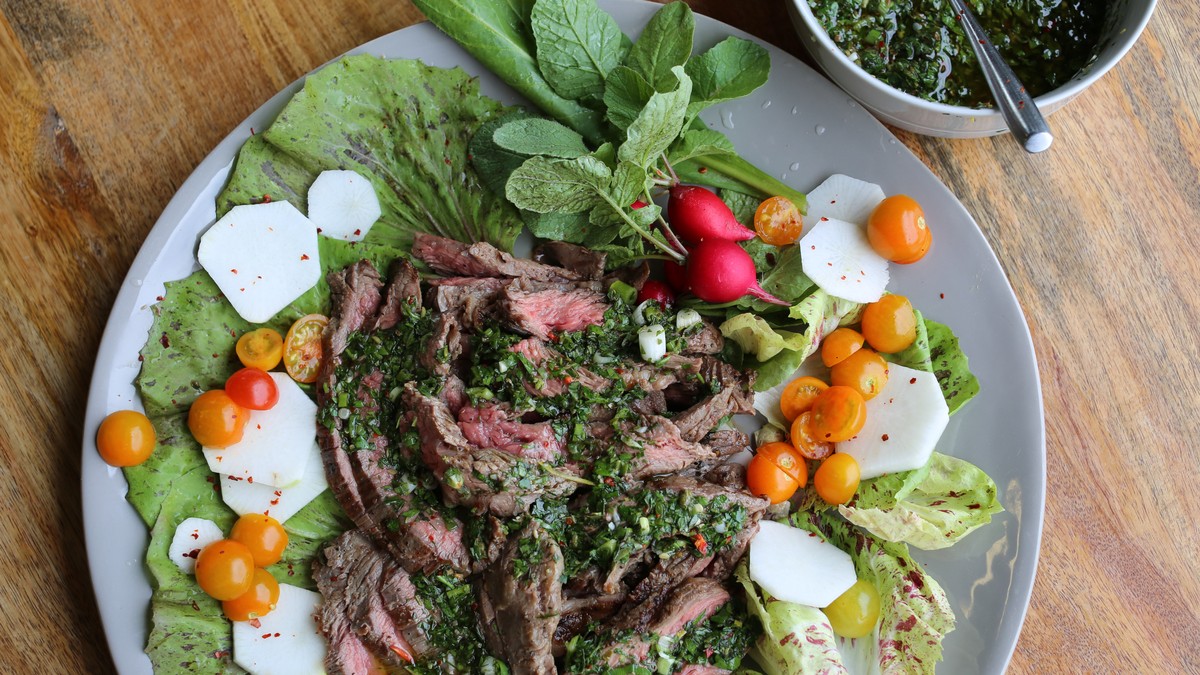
column 920, row 47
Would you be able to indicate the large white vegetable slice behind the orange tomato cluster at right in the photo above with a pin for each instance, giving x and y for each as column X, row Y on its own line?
column 904, row 423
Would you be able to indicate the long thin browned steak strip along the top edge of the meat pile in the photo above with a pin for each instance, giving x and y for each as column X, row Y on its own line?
column 457, row 259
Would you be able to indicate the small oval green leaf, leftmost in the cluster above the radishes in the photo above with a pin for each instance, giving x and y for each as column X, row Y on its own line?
column 544, row 186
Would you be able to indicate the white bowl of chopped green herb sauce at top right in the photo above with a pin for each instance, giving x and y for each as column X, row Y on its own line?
column 909, row 62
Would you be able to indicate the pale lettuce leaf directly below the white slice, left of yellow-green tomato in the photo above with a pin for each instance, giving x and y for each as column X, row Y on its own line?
column 795, row 638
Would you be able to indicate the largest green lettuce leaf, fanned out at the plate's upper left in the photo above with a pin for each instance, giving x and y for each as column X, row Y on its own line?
column 404, row 126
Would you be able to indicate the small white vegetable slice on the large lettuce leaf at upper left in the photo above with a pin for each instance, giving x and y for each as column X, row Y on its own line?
column 344, row 205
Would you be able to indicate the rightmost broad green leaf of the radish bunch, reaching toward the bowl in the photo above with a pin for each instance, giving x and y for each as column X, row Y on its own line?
column 733, row 69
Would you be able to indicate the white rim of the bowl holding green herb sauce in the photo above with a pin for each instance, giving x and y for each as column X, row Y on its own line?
column 1051, row 100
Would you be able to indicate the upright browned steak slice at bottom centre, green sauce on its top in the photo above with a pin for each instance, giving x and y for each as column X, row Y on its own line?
column 520, row 601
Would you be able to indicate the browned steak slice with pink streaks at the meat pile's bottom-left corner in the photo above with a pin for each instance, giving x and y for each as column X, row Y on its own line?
column 367, row 602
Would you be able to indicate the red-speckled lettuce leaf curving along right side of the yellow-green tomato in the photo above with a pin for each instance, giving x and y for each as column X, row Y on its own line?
column 915, row 616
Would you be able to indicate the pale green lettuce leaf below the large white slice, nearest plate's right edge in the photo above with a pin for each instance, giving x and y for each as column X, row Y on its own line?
column 951, row 500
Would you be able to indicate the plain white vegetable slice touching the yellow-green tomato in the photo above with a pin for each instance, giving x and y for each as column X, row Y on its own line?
column 799, row 568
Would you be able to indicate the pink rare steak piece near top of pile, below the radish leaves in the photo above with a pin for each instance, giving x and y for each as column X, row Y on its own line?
column 550, row 310
